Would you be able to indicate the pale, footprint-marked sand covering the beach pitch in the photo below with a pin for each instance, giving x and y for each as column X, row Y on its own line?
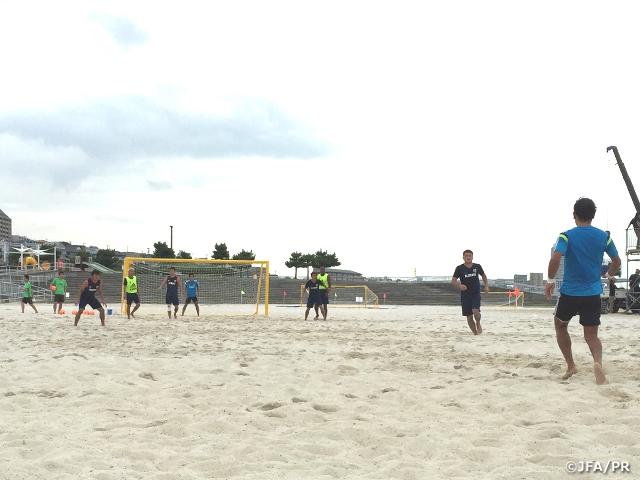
column 405, row 393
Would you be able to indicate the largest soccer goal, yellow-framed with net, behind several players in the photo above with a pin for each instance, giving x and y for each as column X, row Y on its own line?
column 225, row 287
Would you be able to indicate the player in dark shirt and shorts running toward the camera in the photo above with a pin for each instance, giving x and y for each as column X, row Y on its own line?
column 469, row 286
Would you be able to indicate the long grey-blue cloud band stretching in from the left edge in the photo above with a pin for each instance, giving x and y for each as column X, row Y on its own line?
column 122, row 128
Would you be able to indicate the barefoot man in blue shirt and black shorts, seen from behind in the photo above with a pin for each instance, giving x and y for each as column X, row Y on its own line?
column 583, row 248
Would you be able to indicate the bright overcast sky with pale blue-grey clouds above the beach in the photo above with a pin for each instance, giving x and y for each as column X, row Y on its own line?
column 395, row 134
